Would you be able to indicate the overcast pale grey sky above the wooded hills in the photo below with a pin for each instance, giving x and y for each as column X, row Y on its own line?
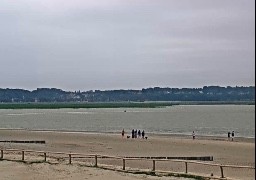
column 126, row 44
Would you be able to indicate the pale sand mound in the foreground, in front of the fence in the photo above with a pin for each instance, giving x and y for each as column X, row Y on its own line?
column 15, row 170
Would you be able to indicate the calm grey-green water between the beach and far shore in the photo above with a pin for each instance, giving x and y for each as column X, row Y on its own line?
column 212, row 120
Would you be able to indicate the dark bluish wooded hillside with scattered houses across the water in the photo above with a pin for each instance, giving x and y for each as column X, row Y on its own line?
column 207, row 93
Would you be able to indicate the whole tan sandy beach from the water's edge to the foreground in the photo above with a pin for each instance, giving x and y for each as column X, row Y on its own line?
column 240, row 152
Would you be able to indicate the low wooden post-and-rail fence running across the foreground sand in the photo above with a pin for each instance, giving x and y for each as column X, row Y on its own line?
column 124, row 160
